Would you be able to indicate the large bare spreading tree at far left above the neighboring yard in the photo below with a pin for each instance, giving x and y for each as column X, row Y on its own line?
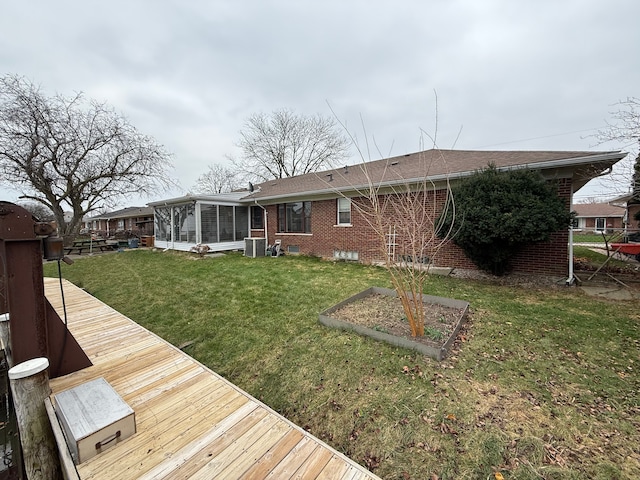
column 65, row 152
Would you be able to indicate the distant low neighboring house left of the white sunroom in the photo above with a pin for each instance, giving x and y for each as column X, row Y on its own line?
column 136, row 221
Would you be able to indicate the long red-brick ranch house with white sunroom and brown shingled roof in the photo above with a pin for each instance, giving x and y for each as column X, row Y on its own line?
column 312, row 213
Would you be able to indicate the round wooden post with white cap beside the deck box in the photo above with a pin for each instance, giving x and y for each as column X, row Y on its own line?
column 30, row 387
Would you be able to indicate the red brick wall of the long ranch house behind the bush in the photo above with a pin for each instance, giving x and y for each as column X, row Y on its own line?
column 326, row 237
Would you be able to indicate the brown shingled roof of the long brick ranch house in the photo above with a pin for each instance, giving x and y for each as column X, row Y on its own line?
column 437, row 166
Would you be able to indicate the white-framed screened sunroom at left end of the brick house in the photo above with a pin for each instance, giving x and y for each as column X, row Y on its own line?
column 219, row 221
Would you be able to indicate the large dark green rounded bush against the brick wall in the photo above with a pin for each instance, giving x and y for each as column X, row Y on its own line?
column 498, row 212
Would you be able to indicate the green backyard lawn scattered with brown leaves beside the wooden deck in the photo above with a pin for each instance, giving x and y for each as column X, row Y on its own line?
column 544, row 383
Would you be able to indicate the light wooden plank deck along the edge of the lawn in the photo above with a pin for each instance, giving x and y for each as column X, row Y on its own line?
column 191, row 423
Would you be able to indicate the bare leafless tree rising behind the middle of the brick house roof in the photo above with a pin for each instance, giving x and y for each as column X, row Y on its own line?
column 284, row 144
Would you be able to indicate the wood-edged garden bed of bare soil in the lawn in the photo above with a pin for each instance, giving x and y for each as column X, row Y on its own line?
column 377, row 313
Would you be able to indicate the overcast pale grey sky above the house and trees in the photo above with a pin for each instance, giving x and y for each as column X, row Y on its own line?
column 521, row 75
